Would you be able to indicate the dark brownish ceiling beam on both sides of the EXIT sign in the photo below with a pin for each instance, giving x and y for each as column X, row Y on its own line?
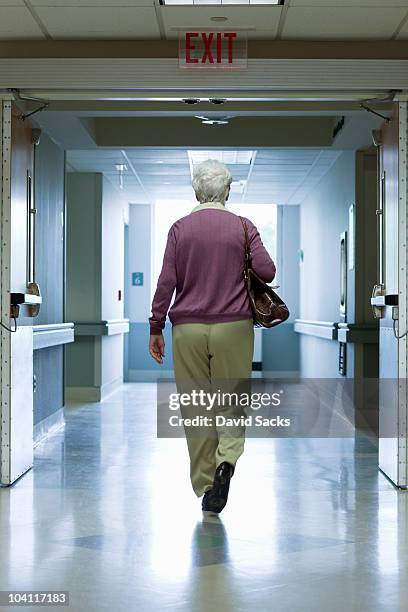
column 257, row 49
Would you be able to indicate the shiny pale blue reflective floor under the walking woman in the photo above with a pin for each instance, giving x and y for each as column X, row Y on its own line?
column 107, row 514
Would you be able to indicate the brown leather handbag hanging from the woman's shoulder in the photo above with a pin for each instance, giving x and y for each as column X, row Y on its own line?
column 268, row 309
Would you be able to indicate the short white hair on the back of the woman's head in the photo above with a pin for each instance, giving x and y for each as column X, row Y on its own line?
column 211, row 181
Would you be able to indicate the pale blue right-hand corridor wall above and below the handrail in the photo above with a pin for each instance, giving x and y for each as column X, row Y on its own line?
column 323, row 216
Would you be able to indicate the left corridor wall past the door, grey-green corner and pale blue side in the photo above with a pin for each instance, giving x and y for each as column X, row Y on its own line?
column 94, row 299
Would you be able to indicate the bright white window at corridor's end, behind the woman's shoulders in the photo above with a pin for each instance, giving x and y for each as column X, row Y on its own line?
column 166, row 212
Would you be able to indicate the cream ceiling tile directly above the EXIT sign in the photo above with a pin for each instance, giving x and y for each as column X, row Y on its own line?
column 265, row 19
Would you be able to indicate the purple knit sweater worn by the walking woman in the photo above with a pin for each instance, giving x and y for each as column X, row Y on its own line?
column 204, row 263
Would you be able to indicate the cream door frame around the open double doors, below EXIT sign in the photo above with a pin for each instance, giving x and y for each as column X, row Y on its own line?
column 39, row 74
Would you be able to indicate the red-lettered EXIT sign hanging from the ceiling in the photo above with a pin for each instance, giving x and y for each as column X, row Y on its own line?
column 222, row 50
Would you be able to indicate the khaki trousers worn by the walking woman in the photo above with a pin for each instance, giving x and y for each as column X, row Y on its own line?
column 212, row 356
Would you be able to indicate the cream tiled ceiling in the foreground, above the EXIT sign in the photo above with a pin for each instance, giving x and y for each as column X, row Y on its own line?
column 147, row 19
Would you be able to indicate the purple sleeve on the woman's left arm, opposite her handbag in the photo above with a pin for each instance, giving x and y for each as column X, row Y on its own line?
column 165, row 286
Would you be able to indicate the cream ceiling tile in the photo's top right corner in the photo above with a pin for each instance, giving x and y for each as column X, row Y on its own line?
column 342, row 23
